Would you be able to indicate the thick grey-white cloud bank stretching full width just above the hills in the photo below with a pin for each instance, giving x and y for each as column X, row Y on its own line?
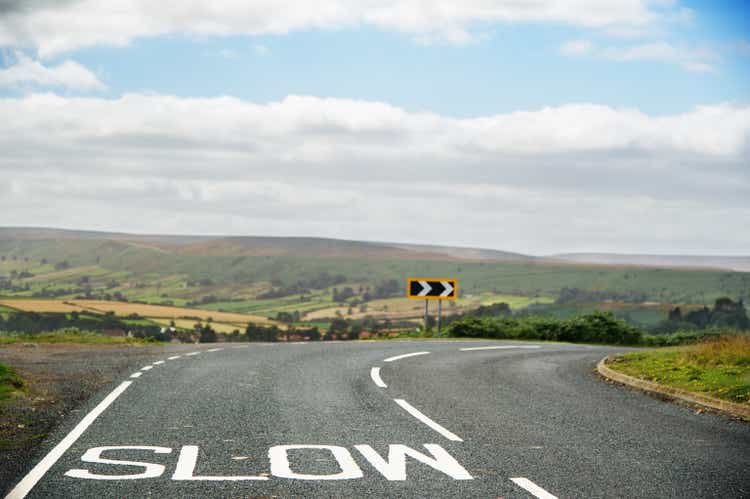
column 564, row 178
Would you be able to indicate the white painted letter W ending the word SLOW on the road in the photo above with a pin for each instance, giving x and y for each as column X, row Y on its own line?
column 395, row 467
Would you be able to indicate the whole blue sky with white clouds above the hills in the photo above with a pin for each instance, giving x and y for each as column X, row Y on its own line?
column 538, row 127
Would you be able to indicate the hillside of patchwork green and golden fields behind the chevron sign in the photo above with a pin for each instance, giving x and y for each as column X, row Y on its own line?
column 238, row 280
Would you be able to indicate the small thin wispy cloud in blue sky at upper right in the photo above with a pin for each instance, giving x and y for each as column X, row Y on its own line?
column 699, row 60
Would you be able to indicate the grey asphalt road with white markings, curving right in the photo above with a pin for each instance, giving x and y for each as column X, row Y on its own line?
column 387, row 419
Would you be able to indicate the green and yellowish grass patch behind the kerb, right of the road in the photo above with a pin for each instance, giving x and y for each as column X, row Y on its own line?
column 719, row 367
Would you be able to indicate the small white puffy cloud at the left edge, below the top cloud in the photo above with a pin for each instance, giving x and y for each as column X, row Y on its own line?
column 68, row 74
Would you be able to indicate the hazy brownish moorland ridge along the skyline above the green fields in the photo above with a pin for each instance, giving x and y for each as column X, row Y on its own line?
column 336, row 248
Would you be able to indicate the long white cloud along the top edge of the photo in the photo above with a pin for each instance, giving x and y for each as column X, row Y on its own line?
column 56, row 27
